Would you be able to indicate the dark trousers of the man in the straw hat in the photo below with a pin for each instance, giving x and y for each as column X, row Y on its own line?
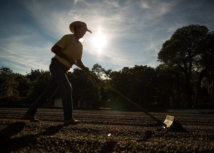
column 59, row 80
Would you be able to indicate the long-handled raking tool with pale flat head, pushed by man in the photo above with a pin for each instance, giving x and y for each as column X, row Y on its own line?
column 169, row 122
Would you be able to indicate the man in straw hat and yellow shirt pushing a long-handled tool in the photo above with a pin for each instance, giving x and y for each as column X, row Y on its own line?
column 68, row 51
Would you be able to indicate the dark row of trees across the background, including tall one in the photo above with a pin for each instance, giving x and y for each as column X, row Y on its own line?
column 184, row 78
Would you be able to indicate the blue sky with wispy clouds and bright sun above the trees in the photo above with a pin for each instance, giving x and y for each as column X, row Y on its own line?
column 125, row 33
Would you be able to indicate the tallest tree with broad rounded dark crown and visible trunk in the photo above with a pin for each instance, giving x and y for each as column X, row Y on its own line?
column 182, row 50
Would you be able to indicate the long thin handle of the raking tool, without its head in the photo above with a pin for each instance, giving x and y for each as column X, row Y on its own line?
column 130, row 101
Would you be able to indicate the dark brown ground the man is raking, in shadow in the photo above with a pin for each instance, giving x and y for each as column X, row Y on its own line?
column 103, row 131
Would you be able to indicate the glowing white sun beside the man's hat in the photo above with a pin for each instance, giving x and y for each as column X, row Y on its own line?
column 100, row 41
